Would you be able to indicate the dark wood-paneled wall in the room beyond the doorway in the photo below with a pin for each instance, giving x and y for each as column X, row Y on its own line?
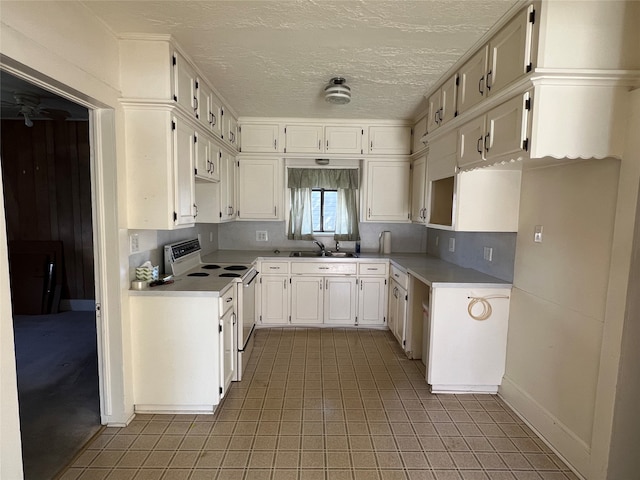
column 47, row 187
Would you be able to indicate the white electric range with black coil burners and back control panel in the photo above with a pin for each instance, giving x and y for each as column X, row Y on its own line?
column 184, row 260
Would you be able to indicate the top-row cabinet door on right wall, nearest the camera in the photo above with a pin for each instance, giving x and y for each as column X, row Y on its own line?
column 510, row 52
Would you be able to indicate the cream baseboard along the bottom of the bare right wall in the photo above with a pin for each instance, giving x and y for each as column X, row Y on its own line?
column 558, row 437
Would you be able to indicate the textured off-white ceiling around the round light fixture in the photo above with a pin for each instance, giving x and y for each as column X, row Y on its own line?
column 273, row 58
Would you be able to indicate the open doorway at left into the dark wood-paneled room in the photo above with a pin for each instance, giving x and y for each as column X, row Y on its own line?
column 46, row 168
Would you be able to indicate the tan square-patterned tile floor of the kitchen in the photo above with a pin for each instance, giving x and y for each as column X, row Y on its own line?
column 327, row 404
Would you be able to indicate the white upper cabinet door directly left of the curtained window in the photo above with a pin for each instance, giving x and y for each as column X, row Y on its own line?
column 259, row 190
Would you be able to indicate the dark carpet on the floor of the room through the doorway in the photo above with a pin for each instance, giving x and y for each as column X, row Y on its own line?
column 58, row 391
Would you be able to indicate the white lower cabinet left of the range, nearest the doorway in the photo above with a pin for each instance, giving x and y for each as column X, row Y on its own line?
column 176, row 354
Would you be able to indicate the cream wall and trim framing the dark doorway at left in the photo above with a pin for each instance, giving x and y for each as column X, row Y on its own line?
column 37, row 43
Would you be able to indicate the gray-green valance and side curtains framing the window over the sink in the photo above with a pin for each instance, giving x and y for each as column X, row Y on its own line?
column 302, row 180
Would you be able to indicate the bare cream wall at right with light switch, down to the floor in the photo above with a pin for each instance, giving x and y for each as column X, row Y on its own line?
column 569, row 299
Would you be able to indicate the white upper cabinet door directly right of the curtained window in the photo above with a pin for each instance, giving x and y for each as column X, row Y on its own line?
column 387, row 192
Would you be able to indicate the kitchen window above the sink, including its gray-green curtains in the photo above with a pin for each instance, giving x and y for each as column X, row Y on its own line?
column 323, row 201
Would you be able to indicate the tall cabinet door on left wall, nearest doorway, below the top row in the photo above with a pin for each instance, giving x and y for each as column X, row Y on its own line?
column 183, row 164
